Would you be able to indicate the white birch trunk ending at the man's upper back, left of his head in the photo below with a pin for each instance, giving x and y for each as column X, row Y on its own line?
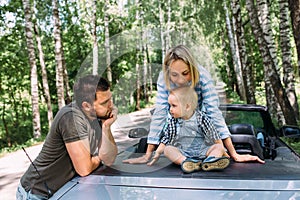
column 58, row 57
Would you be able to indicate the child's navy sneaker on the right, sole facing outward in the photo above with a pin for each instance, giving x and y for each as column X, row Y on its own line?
column 213, row 163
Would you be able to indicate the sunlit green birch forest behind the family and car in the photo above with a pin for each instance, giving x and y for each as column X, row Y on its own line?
column 251, row 48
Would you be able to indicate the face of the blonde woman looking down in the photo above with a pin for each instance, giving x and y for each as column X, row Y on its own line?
column 180, row 73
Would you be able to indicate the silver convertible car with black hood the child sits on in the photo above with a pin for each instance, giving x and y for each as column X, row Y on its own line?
column 253, row 132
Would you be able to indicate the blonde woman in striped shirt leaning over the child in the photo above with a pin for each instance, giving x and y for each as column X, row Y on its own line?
column 181, row 69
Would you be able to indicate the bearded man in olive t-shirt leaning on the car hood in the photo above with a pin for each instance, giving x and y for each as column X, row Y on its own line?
column 79, row 140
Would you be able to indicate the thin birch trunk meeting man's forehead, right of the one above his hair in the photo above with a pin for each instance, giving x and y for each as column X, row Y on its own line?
column 107, row 46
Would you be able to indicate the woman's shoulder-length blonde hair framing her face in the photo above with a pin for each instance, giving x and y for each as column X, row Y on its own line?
column 183, row 53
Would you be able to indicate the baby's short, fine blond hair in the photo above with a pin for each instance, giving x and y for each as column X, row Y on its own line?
column 186, row 95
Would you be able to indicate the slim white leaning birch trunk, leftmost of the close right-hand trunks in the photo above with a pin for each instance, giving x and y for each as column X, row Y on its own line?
column 235, row 54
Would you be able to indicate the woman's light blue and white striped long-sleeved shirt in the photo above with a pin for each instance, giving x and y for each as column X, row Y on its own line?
column 208, row 102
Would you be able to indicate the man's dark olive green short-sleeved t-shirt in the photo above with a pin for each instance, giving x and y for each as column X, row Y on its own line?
column 53, row 162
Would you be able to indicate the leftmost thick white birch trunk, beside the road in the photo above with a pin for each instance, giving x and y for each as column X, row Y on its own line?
column 33, row 72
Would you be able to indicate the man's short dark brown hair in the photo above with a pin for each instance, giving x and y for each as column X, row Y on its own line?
column 86, row 87
